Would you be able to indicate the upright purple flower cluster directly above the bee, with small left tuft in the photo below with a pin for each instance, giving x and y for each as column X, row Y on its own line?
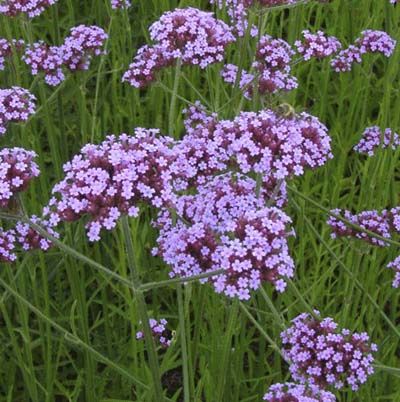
column 271, row 69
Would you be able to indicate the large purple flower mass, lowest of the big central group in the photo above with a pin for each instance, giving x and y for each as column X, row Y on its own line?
column 225, row 226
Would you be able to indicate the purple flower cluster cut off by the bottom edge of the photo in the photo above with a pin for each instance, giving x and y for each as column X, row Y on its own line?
column 292, row 392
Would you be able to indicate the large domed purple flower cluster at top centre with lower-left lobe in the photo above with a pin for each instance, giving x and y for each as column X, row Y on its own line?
column 190, row 35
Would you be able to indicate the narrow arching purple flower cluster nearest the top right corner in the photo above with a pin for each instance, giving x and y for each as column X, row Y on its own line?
column 370, row 41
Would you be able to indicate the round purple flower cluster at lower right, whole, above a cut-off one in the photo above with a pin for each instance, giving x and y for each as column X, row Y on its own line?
column 321, row 354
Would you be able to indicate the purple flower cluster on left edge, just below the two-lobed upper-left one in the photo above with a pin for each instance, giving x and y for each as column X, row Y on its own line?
column 16, row 105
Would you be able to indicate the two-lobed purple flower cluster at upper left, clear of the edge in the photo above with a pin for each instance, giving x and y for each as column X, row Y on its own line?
column 74, row 54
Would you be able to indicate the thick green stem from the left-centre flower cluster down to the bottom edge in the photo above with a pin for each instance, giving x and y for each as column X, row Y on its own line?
column 149, row 340
